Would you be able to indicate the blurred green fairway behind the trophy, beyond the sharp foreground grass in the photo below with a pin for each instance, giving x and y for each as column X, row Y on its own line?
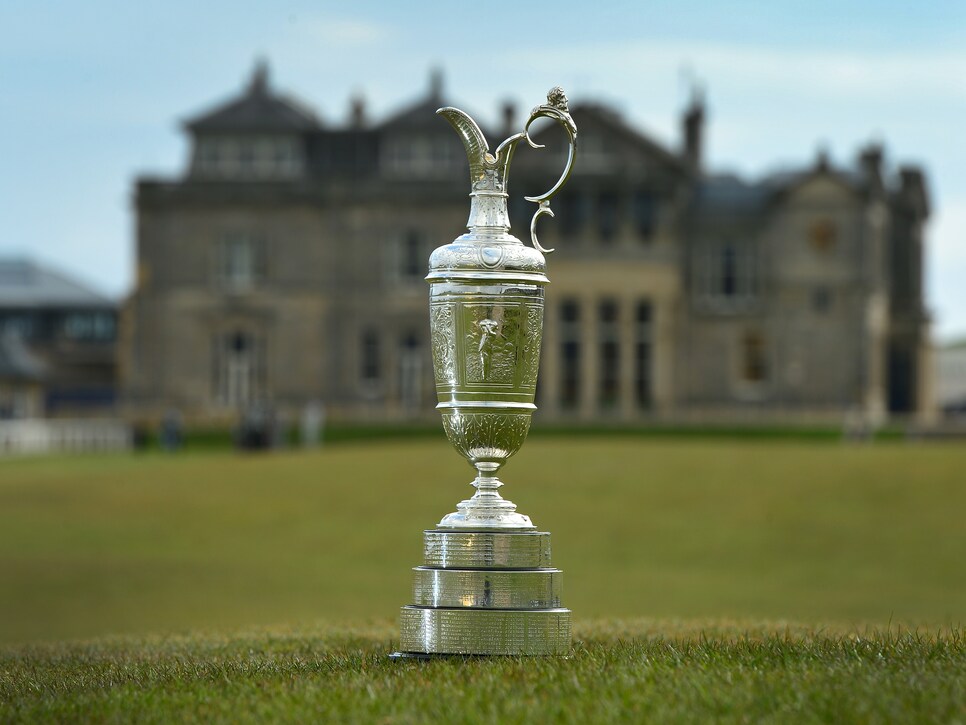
column 755, row 531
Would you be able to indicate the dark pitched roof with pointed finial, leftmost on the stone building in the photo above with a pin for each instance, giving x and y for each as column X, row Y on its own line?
column 258, row 109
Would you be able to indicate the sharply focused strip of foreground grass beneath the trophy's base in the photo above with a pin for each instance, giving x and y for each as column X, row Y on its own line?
column 619, row 672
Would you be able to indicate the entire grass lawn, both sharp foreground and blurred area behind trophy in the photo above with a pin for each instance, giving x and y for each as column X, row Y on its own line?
column 221, row 586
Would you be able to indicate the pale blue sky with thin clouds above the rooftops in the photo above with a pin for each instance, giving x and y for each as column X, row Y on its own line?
column 92, row 94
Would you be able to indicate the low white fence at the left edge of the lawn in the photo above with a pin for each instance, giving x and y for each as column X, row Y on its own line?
column 61, row 436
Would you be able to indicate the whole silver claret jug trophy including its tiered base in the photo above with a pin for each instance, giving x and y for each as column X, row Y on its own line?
column 486, row 585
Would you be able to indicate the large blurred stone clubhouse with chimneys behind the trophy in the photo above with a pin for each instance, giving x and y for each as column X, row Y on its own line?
column 286, row 266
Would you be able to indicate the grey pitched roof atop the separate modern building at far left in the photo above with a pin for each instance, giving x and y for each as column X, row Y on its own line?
column 25, row 284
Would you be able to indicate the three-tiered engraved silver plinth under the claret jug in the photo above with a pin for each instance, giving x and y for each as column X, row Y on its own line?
column 485, row 593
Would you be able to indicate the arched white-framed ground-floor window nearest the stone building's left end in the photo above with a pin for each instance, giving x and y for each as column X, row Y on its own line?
column 239, row 373
